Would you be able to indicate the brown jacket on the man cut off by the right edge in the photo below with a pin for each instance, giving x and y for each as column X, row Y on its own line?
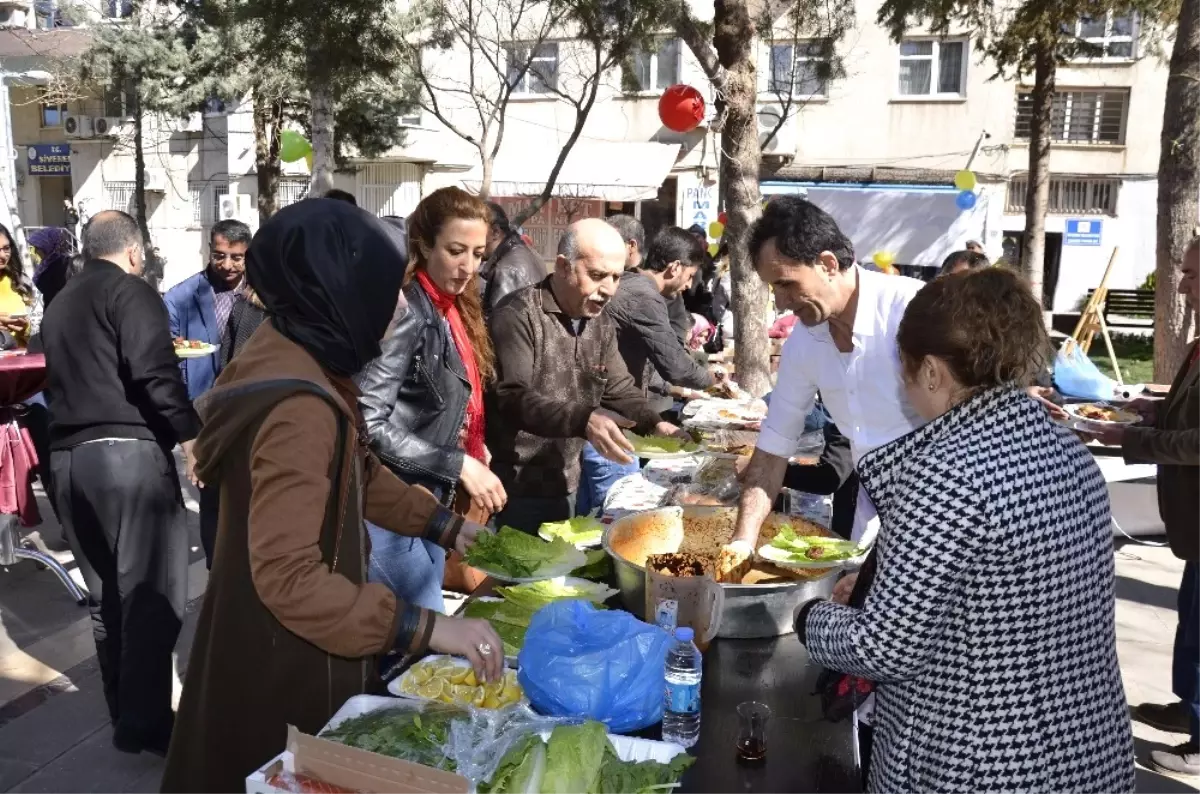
column 1174, row 444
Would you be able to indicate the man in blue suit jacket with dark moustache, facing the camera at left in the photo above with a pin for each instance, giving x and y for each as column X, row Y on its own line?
column 200, row 306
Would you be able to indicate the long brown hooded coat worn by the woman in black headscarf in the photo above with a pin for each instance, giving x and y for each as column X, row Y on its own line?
column 290, row 627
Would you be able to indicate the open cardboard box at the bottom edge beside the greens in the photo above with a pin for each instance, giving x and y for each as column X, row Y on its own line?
column 355, row 769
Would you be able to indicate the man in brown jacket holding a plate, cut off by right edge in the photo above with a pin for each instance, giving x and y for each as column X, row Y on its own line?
column 1171, row 438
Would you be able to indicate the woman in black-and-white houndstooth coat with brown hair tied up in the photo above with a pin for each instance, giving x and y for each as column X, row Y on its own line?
column 989, row 628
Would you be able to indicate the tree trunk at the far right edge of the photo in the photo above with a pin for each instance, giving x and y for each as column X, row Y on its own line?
column 1179, row 189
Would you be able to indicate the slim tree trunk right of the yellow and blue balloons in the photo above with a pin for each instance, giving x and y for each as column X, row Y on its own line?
column 1037, row 197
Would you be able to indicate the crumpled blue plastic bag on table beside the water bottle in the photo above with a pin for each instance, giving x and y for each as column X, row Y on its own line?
column 579, row 661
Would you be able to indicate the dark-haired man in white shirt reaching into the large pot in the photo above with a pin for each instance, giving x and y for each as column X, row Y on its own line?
column 843, row 348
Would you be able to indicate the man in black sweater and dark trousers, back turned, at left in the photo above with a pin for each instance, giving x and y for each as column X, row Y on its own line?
column 118, row 407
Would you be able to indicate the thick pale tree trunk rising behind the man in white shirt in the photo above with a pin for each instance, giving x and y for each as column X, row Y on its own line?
column 735, row 39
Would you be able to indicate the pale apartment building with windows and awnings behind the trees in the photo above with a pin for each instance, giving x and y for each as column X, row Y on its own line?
column 878, row 147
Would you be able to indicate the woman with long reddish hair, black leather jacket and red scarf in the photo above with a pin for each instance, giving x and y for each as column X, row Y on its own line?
column 423, row 399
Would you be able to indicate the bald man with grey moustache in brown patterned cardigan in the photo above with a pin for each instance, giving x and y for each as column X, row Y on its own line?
column 561, row 381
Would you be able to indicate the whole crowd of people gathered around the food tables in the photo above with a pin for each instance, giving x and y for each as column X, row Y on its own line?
column 387, row 389
